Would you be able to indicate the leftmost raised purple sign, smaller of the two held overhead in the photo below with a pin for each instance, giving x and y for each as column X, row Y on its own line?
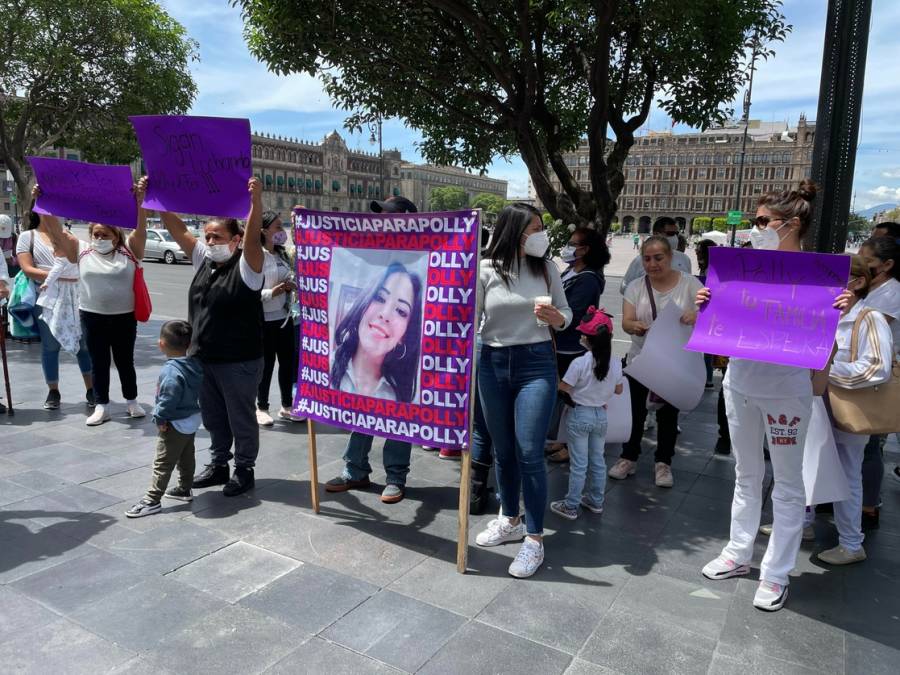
column 97, row 193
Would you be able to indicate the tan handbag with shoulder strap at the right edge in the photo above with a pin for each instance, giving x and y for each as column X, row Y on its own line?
column 869, row 410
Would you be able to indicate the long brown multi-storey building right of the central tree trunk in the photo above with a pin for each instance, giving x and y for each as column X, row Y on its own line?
column 695, row 174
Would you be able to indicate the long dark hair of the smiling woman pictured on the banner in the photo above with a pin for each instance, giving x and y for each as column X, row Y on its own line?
column 399, row 370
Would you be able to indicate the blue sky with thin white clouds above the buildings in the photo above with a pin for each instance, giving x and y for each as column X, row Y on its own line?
column 233, row 84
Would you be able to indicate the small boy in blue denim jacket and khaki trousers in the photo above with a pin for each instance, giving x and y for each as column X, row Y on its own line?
column 177, row 415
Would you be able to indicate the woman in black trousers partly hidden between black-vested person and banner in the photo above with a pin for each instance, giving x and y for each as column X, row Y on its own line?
column 279, row 334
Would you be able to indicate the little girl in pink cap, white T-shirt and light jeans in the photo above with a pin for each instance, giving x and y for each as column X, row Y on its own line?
column 590, row 382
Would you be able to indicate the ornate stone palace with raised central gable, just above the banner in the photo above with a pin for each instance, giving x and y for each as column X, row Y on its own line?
column 326, row 176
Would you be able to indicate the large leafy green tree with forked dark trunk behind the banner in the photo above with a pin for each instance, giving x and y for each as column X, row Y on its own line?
column 482, row 78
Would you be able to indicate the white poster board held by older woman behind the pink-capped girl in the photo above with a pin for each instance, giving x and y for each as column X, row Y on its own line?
column 665, row 367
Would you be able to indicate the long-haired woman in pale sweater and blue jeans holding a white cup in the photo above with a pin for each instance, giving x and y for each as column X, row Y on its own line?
column 517, row 374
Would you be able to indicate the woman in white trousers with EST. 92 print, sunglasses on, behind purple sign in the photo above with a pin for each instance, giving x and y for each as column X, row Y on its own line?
column 774, row 402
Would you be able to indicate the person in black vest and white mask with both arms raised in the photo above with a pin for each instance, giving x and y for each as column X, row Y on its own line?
column 225, row 311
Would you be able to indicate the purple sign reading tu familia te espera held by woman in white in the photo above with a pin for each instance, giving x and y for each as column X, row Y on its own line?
column 772, row 306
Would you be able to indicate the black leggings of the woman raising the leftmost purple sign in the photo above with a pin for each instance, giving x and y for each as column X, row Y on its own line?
column 111, row 334
